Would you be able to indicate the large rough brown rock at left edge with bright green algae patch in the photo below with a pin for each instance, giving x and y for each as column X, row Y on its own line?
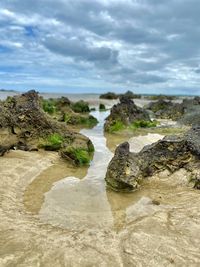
column 24, row 125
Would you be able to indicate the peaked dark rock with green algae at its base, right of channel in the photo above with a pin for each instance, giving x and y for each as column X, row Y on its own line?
column 124, row 114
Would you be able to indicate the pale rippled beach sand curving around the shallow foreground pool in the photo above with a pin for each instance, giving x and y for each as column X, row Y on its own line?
column 144, row 234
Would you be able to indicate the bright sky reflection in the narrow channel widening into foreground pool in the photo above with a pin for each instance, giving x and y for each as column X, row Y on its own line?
column 76, row 204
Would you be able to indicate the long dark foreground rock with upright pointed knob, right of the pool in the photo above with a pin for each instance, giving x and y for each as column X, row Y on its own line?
column 126, row 169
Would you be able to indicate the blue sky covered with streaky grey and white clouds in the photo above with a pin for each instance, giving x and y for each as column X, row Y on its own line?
column 94, row 46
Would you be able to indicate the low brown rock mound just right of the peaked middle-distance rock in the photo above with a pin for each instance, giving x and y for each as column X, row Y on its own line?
column 166, row 109
